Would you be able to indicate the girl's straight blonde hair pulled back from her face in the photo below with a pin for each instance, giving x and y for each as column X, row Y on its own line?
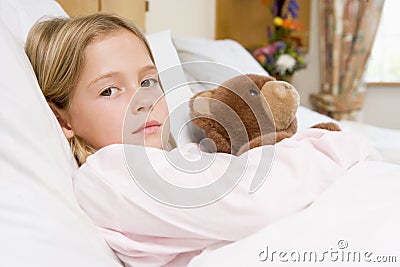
column 56, row 47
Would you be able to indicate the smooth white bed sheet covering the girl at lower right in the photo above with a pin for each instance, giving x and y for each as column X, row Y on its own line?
column 361, row 210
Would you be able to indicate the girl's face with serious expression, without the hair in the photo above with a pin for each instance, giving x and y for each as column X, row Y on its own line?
column 119, row 79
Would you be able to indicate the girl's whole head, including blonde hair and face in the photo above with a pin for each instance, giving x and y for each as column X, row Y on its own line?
column 88, row 69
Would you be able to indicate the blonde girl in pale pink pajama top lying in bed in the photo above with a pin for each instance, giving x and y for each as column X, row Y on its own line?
column 89, row 70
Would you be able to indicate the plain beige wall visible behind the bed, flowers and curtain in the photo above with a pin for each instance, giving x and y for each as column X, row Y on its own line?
column 196, row 18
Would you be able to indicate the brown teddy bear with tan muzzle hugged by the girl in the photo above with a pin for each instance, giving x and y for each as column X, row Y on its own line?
column 248, row 111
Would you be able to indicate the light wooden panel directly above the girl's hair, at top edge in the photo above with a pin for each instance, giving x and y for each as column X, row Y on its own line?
column 134, row 10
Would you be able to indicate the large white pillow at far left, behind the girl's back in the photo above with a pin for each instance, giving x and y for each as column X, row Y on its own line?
column 41, row 222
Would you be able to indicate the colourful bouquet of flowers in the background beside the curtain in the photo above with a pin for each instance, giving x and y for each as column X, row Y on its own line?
column 280, row 57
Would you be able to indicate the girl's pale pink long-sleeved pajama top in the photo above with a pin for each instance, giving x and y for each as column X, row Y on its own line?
column 145, row 232
